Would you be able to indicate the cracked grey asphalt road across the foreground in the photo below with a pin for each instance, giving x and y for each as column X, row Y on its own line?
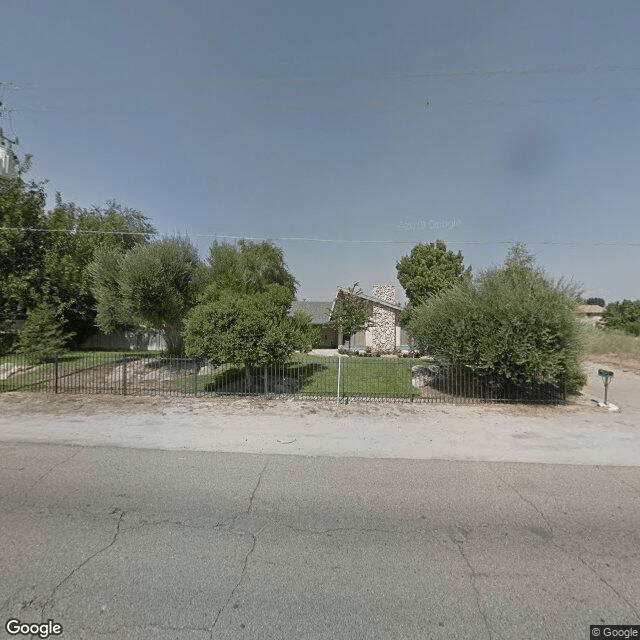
column 144, row 544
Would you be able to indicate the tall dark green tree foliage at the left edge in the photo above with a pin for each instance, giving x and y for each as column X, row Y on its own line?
column 44, row 257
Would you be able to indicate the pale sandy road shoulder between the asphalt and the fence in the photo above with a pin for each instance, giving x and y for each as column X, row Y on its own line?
column 580, row 432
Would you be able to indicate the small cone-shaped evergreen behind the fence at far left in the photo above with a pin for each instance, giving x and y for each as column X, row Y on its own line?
column 42, row 336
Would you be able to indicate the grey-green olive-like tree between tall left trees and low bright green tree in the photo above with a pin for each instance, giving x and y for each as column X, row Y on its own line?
column 150, row 287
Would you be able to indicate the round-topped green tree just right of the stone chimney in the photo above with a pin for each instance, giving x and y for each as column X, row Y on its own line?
column 429, row 269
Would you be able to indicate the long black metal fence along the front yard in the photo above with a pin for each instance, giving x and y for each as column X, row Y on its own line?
column 338, row 378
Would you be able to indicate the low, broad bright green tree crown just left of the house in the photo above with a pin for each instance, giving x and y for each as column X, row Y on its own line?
column 251, row 329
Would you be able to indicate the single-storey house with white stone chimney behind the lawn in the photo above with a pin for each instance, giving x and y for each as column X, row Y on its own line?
column 385, row 332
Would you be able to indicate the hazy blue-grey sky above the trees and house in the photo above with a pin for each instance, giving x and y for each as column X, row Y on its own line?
column 345, row 132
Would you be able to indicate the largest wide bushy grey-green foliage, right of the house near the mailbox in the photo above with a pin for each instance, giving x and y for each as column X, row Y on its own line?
column 512, row 321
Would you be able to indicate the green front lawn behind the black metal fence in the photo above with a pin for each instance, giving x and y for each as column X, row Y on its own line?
column 99, row 372
